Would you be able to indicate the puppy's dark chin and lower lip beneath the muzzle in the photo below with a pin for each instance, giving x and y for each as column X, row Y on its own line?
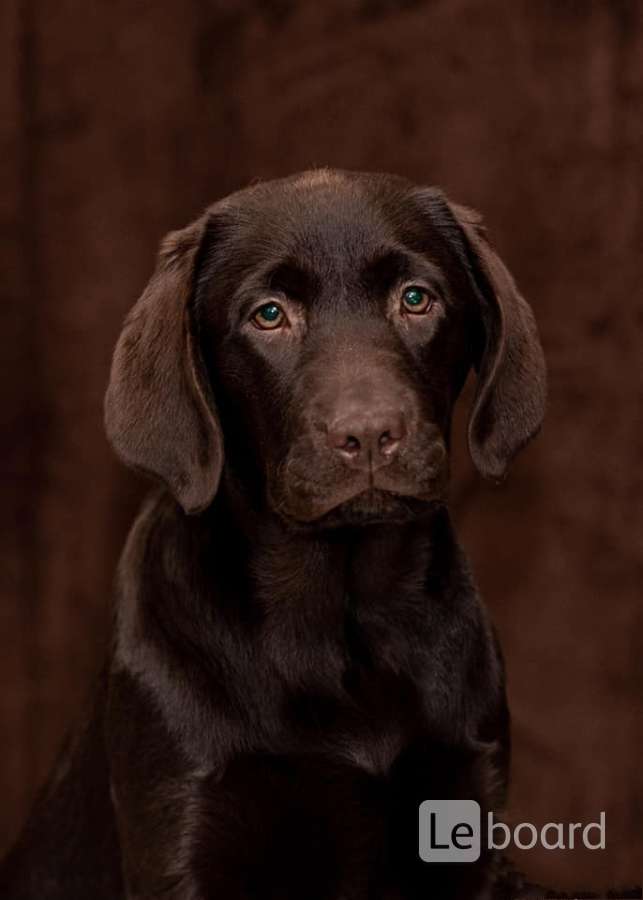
column 371, row 506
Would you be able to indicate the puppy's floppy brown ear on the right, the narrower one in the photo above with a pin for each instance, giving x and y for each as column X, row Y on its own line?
column 509, row 403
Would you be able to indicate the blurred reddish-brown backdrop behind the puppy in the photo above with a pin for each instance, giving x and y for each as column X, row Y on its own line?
column 122, row 120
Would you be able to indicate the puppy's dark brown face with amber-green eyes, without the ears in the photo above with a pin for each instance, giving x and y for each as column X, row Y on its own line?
column 335, row 334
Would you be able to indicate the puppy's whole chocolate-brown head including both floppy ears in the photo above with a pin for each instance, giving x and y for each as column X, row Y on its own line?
column 318, row 330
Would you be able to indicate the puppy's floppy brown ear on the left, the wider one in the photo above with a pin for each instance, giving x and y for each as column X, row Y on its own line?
column 159, row 415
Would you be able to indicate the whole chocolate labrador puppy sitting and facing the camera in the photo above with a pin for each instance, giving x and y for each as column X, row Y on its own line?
column 300, row 655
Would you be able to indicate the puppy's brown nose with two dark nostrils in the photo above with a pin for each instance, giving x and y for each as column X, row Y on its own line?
column 367, row 439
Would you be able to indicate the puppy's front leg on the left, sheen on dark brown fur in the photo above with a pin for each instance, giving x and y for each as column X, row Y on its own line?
column 160, row 796
